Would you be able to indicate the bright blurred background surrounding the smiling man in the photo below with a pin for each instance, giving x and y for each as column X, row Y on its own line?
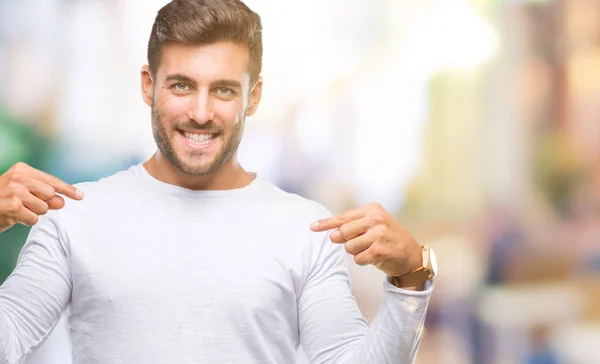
column 475, row 122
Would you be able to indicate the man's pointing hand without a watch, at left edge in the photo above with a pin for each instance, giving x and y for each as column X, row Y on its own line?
column 26, row 193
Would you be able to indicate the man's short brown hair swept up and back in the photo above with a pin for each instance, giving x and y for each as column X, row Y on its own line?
column 205, row 22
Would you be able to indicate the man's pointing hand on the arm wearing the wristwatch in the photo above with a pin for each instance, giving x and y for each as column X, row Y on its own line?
column 374, row 237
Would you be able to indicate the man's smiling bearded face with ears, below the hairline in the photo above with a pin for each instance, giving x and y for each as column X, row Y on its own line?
column 200, row 98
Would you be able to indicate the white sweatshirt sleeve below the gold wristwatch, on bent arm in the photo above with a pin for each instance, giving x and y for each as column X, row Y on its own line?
column 332, row 329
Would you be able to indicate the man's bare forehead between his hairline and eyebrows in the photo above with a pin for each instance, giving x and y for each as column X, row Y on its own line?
column 220, row 60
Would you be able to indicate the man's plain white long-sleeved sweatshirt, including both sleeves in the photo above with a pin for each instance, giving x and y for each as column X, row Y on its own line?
column 154, row 273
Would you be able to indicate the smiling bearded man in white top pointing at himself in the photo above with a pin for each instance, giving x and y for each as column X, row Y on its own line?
column 188, row 258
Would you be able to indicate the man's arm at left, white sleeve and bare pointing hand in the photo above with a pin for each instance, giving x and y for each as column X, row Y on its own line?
column 38, row 291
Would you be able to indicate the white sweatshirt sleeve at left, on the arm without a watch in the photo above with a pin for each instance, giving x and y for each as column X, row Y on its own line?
column 36, row 294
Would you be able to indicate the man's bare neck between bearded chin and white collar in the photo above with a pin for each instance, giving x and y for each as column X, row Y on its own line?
column 228, row 177
